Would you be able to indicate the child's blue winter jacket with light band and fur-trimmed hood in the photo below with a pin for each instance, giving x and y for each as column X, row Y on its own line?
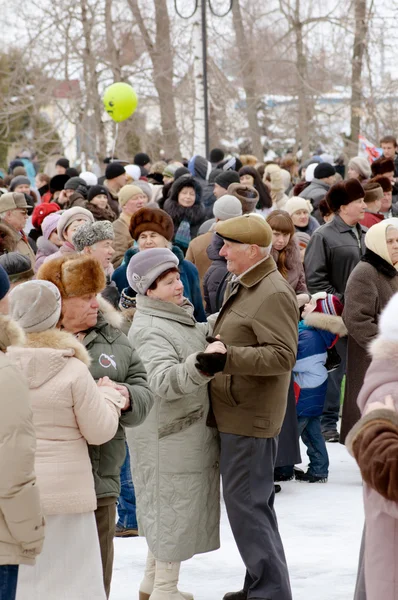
column 317, row 333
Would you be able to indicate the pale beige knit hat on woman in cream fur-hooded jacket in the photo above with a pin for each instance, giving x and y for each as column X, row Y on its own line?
column 35, row 306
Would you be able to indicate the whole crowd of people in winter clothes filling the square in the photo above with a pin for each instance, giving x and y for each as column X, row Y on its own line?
column 174, row 321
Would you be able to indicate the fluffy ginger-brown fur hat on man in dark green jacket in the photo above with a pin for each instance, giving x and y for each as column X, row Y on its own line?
column 74, row 275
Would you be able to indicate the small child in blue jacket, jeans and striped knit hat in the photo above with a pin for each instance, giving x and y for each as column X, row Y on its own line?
column 319, row 330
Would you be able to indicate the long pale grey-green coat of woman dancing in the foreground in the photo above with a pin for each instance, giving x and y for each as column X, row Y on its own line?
column 175, row 454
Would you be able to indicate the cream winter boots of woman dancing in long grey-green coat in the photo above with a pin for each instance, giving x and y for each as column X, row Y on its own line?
column 160, row 581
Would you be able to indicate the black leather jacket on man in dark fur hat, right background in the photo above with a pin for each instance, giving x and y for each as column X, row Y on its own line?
column 331, row 255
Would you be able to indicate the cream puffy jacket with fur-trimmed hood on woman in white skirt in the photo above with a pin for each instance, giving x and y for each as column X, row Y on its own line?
column 64, row 398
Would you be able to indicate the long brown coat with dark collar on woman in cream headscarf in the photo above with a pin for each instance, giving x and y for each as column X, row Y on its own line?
column 370, row 286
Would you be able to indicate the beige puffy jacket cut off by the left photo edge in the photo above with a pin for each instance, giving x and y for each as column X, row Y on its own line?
column 21, row 521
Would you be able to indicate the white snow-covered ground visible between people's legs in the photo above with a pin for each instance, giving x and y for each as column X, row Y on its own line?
column 321, row 527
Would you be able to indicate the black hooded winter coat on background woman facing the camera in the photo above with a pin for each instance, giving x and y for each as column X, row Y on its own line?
column 195, row 214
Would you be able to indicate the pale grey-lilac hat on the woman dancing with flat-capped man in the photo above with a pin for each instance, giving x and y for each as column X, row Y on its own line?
column 146, row 266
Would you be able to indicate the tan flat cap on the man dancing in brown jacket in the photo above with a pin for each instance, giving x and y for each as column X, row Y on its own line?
column 248, row 229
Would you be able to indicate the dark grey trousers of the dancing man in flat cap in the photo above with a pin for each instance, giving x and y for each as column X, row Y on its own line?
column 247, row 470
